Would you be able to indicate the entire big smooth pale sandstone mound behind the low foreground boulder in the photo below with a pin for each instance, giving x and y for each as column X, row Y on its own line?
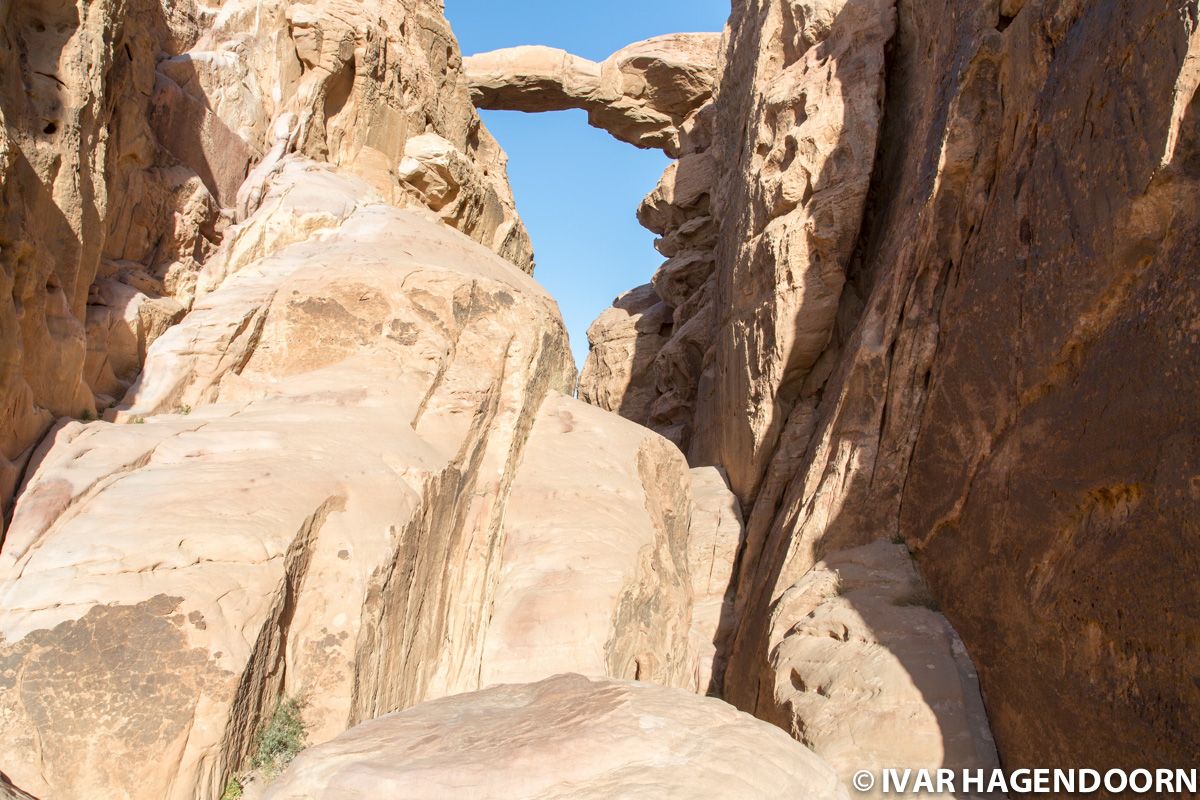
column 364, row 411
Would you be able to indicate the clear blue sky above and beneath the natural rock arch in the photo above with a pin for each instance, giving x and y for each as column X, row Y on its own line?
column 577, row 188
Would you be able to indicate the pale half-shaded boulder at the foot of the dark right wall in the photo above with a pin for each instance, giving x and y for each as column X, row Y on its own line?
column 871, row 676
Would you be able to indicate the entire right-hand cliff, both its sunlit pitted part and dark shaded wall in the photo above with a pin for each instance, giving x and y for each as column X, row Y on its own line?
column 947, row 274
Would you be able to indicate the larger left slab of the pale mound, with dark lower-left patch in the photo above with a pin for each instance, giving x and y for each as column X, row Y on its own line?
column 344, row 412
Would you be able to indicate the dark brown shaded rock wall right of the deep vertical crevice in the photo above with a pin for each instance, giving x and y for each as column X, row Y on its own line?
column 1001, row 334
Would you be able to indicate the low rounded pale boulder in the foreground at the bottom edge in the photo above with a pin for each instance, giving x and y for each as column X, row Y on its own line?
column 578, row 738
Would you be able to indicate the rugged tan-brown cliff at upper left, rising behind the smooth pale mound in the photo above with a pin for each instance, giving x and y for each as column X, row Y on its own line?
column 128, row 133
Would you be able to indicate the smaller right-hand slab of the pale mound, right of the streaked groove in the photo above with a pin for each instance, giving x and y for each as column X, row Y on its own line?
column 596, row 546
